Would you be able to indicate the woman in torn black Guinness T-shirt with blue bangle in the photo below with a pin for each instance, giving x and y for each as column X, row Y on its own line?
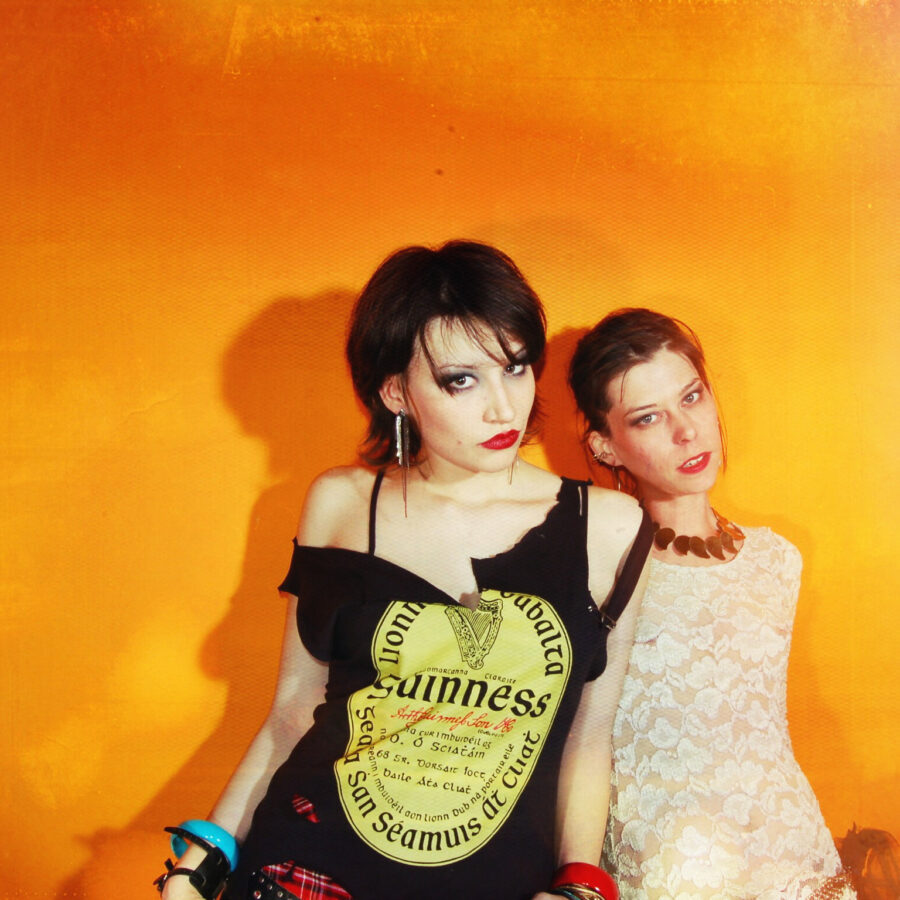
column 450, row 668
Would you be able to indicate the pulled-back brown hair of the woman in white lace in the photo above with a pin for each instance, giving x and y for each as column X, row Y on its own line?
column 617, row 342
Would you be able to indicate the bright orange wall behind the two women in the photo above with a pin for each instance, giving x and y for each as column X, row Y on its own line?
column 192, row 192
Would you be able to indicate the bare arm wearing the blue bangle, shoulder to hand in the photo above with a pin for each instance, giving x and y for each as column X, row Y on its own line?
column 300, row 688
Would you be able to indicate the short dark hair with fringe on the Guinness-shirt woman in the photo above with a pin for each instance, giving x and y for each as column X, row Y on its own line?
column 467, row 282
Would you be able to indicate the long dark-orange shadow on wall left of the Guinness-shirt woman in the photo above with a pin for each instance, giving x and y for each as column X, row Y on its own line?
column 285, row 379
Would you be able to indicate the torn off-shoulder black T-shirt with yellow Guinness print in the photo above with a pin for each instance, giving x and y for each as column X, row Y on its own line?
column 431, row 768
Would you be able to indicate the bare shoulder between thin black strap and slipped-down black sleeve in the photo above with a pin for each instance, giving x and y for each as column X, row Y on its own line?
column 336, row 507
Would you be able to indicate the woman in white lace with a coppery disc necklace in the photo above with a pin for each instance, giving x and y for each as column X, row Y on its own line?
column 707, row 800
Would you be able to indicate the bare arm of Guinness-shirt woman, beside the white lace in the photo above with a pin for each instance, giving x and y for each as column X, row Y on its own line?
column 583, row 799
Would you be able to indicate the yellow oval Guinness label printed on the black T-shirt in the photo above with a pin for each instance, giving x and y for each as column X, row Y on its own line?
column 444, row 741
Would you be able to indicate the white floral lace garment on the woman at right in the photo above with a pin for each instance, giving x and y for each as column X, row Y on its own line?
column 708, row 802
